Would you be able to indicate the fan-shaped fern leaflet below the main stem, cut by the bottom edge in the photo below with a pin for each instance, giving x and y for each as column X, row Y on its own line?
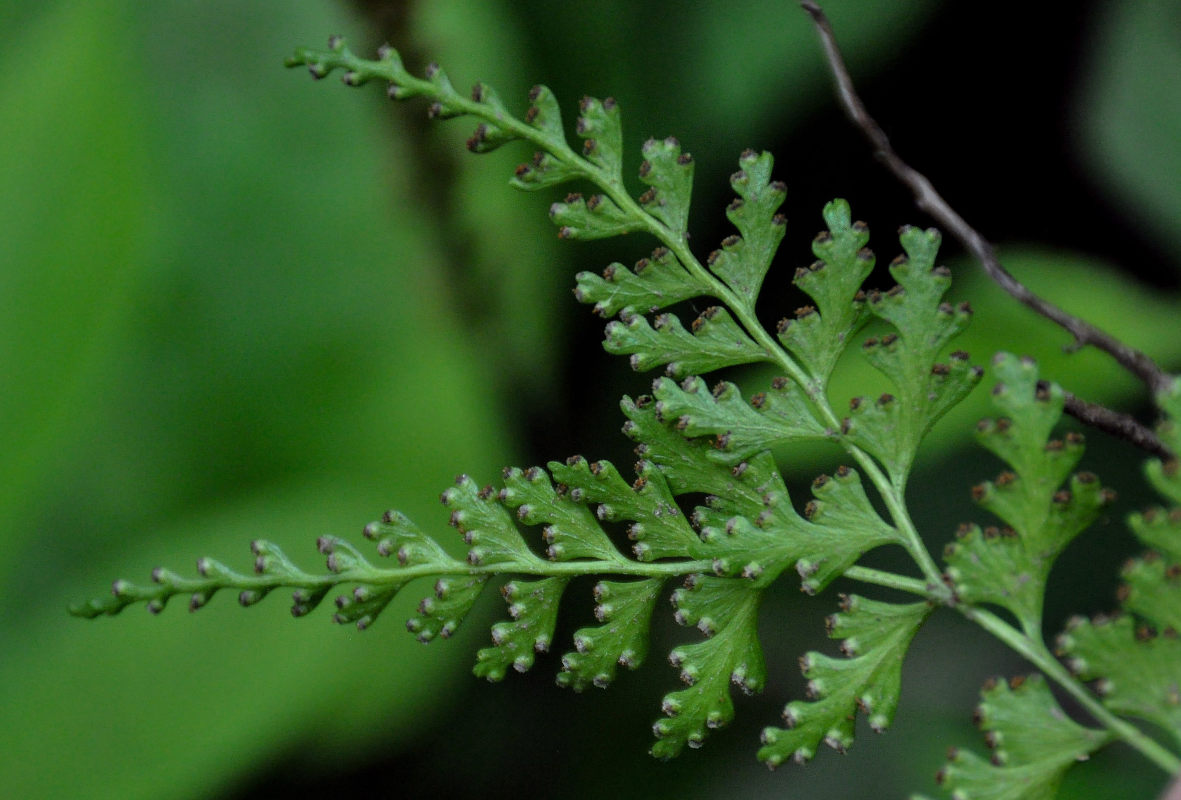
column 1034, row 745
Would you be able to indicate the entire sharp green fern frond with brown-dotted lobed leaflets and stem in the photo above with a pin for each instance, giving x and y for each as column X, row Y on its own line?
column 695, row 443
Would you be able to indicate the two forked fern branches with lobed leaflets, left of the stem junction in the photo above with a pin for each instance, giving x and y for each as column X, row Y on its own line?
column 690, row 443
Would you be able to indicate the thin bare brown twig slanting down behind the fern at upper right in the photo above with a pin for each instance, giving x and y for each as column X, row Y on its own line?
column 932, row 203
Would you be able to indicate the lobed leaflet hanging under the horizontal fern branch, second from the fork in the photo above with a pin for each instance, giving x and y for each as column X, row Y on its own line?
column 727, row 613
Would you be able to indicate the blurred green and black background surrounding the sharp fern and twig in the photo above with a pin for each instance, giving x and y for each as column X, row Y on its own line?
column 234, row 304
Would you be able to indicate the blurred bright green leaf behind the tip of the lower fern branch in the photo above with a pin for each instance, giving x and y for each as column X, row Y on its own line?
column 178, row 706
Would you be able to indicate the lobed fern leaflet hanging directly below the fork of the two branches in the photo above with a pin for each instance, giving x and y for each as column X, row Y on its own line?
column 877, row 636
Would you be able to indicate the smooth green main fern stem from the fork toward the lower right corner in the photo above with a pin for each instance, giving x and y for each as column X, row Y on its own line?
column 1036, row 652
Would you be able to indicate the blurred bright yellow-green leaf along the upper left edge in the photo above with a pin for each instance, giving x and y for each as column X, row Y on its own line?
column 76, row 214
